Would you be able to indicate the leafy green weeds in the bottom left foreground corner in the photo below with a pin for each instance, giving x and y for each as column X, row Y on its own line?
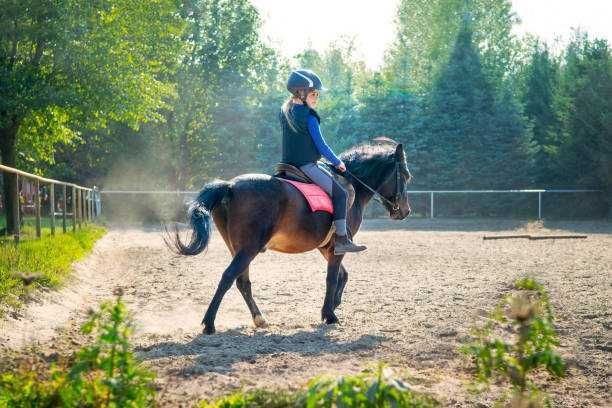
column 104, row 373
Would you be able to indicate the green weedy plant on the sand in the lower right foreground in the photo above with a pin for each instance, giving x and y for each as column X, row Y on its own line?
column 529, row 316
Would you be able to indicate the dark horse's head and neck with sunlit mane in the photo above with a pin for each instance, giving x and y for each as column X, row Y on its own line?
column 382, row 166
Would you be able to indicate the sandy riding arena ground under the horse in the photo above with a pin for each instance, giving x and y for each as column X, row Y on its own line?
column 410, row 301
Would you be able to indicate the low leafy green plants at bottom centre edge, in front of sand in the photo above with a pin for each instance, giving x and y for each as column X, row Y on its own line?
column 362, row 391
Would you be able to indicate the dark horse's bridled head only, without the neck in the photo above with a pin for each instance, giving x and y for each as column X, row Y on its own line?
column 394, row 188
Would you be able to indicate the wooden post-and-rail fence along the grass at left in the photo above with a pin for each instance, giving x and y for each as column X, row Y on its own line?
column 83, row 200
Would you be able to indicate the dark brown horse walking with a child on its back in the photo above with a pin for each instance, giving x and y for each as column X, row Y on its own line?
column 255, row 212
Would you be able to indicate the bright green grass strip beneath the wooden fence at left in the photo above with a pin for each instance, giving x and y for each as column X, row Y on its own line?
column 49, row 258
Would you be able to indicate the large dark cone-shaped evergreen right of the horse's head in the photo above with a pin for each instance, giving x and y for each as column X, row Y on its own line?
column 470, row 139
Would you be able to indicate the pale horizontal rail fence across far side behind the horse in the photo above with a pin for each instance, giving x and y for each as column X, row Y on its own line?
column 431, row 194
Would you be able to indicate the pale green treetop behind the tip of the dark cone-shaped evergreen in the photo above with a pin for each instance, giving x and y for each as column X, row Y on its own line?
column 426, row 32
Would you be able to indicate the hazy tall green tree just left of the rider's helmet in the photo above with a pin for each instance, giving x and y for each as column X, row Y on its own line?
column 226, row 80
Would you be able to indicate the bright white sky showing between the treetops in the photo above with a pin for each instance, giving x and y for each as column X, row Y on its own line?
column 288, row 25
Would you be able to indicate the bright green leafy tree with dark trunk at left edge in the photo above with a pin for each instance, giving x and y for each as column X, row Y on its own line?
column 72, row 65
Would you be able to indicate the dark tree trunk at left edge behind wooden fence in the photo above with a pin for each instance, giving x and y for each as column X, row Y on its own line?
column 8, row 146
